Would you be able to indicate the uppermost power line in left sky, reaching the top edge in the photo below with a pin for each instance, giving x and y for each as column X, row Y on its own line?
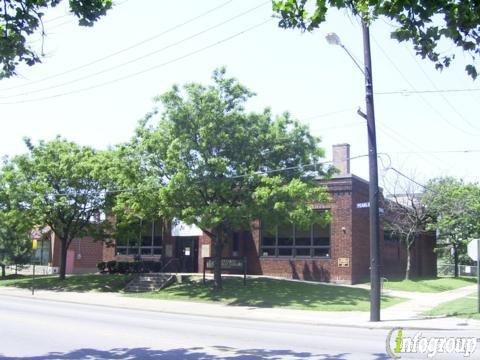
column 133, row 46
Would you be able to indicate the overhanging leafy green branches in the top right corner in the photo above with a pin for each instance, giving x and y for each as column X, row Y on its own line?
column 423, row 22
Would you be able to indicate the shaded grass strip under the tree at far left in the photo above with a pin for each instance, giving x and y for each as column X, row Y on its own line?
column 81, row 283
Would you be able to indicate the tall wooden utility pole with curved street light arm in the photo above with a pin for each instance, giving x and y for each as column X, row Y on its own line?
column 333, row 39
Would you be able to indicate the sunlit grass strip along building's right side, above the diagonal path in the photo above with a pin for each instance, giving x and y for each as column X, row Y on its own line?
column 429, row 285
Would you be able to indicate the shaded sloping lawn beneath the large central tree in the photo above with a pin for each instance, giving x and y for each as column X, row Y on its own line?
column 263, row 292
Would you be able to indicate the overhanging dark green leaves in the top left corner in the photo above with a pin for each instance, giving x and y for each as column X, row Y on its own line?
column 19, row 19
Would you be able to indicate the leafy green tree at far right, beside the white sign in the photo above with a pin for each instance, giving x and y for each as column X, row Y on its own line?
column 455, row 208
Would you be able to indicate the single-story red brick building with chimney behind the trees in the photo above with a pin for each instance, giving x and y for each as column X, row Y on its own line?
column 338, row 252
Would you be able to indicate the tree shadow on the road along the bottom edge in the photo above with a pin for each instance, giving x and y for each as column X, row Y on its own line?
column 197, row 353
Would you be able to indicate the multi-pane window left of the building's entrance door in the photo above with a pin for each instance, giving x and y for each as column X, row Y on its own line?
column 142, row 238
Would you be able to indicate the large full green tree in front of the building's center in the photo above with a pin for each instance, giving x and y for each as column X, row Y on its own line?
column 219, row 167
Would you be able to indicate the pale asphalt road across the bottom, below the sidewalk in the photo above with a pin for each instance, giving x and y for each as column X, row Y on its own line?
column 40, row 329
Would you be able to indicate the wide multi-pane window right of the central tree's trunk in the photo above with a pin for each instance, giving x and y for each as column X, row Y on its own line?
column 290, row 240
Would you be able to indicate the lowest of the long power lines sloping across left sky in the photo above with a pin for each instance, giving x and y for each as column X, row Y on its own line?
column 141, row 71
